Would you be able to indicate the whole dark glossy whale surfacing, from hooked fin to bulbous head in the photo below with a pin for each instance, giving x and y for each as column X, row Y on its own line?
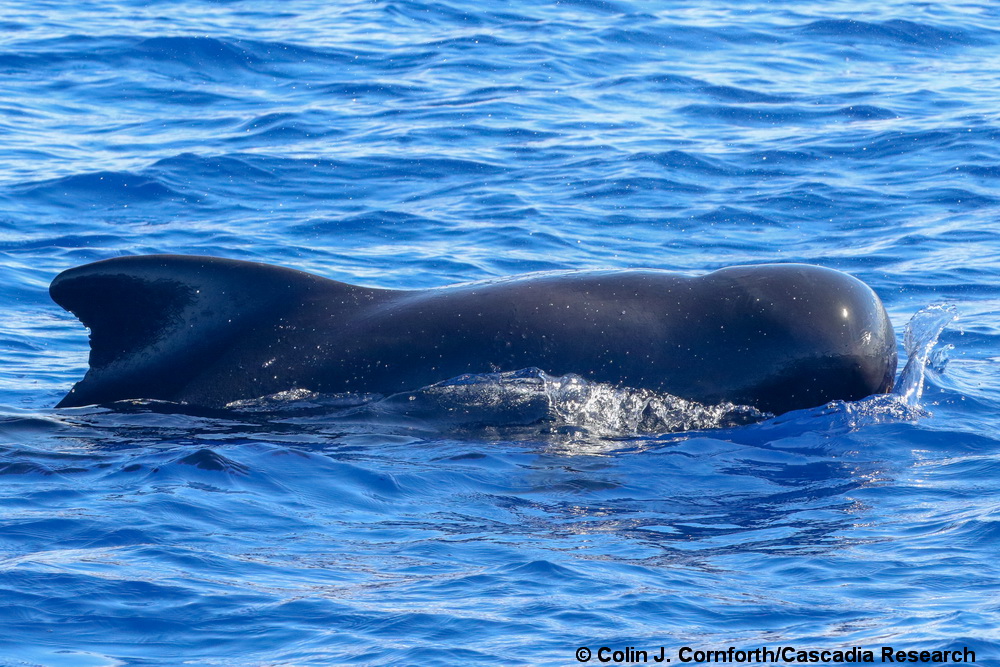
column 208, row 331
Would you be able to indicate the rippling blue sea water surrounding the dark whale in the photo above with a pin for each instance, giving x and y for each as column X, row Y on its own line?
column 413, row 144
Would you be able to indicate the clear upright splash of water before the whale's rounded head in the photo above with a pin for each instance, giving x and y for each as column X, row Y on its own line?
column 919, row 340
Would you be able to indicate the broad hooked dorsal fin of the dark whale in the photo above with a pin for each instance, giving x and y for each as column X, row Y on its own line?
column 157, row 320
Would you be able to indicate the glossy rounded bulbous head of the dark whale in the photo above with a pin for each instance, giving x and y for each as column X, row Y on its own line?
column 814, row 335
